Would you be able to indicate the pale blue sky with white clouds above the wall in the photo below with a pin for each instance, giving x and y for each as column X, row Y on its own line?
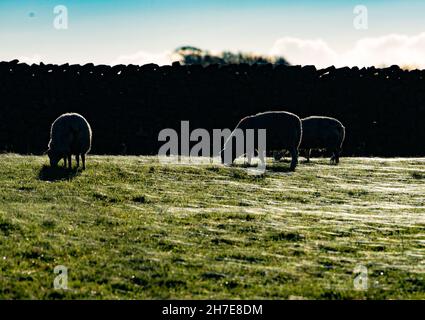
column 307, row 32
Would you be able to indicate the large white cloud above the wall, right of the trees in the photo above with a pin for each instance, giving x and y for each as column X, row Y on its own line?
column 390, row 49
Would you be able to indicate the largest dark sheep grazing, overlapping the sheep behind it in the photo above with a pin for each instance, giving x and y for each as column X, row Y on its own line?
column 283, row 132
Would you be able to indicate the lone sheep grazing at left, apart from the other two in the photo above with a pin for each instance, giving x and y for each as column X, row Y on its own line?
column 70, row 135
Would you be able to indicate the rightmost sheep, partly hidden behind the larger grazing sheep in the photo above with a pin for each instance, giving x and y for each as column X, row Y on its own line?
column 322, row 133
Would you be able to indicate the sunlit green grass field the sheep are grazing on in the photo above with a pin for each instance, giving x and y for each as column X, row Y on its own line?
column 132, row 228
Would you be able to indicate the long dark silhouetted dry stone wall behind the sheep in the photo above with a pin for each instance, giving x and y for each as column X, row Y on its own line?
column 383, row 109
